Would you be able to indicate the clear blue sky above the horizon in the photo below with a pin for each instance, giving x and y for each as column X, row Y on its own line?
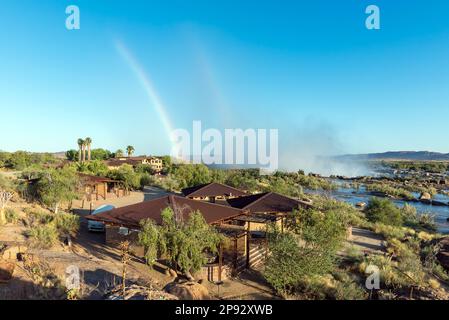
column 309, row 68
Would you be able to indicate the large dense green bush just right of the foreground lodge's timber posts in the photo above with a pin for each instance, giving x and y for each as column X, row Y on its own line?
column 307, row 250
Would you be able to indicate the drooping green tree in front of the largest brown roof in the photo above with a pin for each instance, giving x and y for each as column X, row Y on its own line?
column 182, row 242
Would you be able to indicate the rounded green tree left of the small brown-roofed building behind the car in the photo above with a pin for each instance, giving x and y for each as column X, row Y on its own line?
column 56, row 186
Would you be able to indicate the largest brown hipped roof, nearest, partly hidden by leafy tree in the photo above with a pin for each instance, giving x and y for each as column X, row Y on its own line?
column 132, row 215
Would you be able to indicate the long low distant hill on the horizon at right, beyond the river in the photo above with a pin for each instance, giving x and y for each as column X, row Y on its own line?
column 397, row 155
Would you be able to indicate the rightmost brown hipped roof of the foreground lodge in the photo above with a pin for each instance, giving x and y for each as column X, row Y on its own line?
column 268, row 202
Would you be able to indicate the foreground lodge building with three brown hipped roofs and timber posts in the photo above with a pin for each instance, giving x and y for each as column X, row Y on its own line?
column 240, row 217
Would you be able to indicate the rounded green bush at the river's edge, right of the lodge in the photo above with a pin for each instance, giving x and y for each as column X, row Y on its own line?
column 383, row 211
